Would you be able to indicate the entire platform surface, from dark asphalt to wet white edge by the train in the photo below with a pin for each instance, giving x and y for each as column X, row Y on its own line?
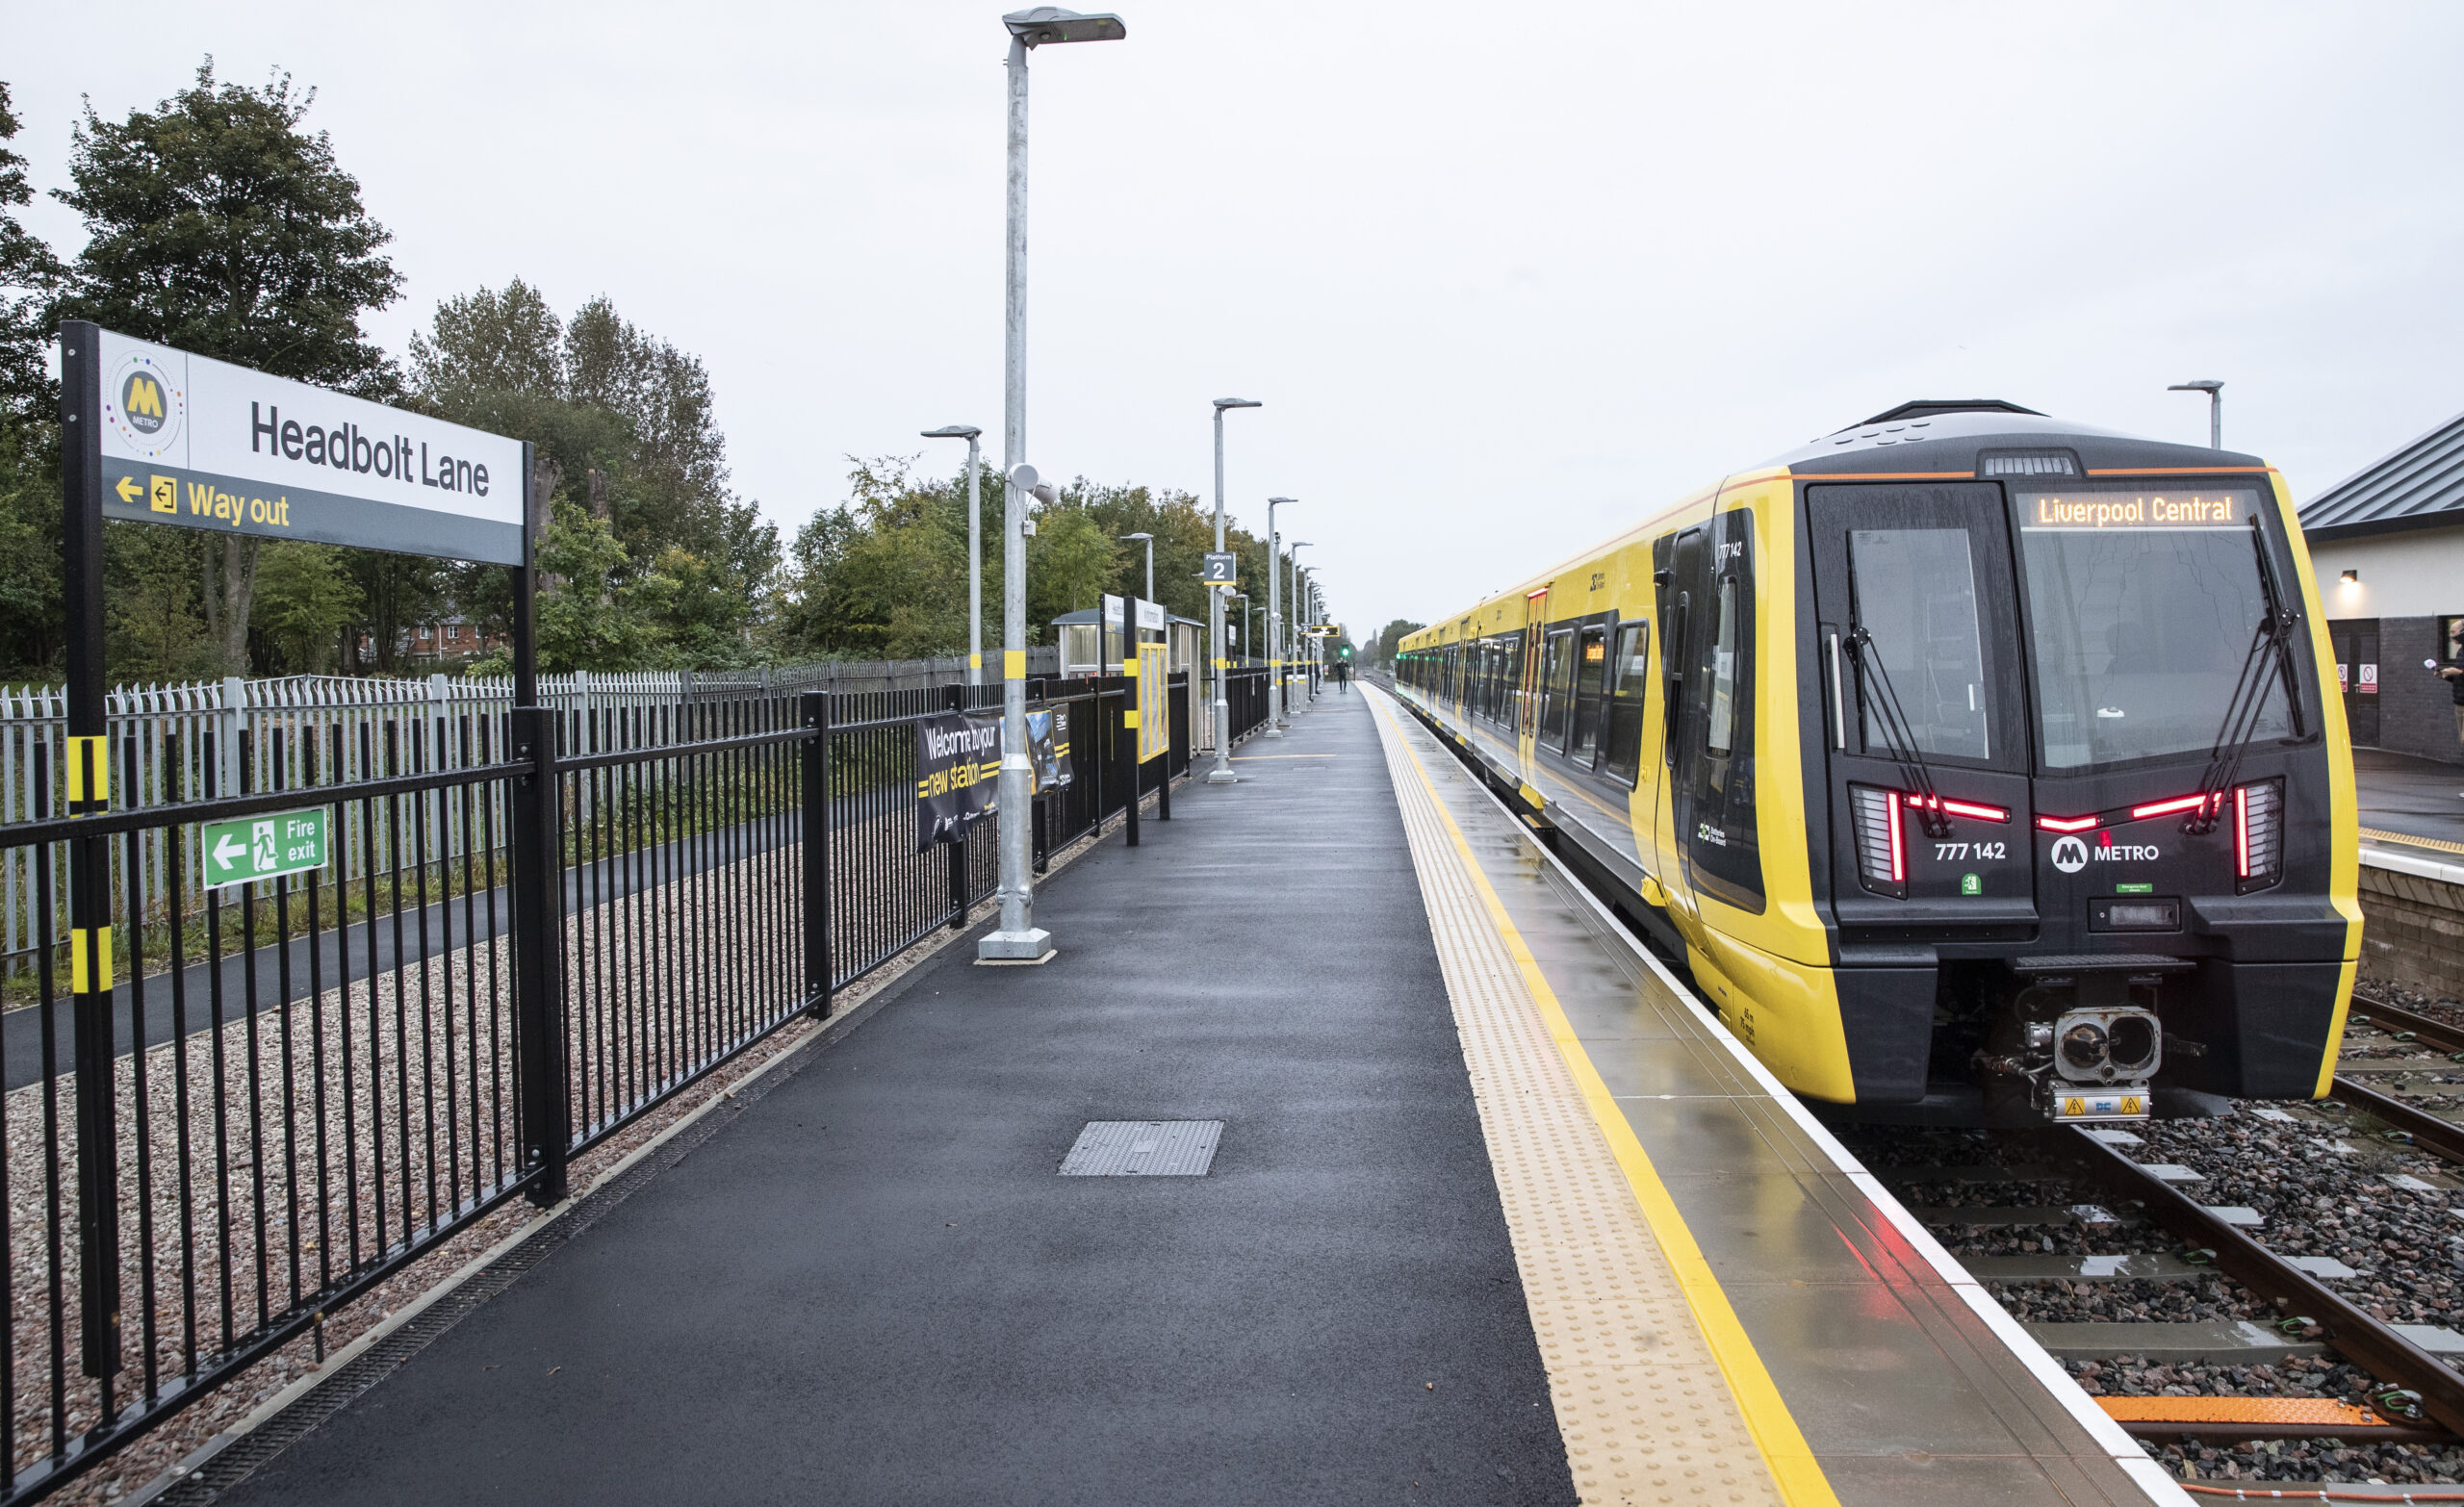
column 1494, row 1215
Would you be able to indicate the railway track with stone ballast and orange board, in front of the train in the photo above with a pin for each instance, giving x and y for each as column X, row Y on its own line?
column 2349, row 1390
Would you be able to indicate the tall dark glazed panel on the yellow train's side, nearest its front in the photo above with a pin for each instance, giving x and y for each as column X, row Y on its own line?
column 1711, row 678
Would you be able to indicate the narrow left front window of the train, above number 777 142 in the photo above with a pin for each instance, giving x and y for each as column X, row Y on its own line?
column 1916, row 597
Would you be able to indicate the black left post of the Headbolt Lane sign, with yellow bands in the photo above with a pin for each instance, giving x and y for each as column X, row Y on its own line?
column 87, row 777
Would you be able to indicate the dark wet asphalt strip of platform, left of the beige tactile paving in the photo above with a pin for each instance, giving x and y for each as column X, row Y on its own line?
column 873, row 1287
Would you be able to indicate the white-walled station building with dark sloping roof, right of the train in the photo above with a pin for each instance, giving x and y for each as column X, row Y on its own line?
column 2389, row 548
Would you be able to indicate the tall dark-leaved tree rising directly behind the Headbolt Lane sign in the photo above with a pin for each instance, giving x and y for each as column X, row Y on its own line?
column 221, row 228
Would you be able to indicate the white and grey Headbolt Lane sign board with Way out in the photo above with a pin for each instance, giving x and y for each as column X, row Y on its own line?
column 186, row 440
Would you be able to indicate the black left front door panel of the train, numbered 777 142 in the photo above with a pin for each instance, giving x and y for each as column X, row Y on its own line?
column 1921, row 678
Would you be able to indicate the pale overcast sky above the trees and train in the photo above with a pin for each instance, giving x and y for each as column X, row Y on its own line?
column 1504, row 275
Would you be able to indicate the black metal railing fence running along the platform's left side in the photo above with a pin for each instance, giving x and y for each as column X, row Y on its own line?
column 533, row 930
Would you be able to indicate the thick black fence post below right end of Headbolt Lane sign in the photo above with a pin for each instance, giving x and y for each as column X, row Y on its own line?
column 538, row 952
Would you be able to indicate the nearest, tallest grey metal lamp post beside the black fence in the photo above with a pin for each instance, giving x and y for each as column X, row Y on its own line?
column 1016, row 939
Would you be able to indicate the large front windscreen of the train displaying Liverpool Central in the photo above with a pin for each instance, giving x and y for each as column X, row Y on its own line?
column 2142, row 612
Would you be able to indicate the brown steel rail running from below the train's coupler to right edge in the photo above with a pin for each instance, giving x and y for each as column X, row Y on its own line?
column 2362, row 1338
